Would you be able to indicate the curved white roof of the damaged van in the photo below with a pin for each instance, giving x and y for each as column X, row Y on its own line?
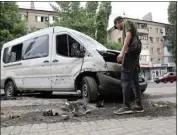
column 37, row 33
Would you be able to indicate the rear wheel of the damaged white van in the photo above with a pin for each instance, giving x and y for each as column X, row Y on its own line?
column 10, row 90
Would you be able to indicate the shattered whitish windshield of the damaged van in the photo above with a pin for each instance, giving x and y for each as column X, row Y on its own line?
column 90, row 42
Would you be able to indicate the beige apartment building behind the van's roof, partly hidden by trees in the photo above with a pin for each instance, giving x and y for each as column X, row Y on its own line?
column 37, row 19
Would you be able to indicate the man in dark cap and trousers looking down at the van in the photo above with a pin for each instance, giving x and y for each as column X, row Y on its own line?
column 129, row 70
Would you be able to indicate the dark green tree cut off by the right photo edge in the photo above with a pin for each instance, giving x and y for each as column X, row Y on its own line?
column 172, row 36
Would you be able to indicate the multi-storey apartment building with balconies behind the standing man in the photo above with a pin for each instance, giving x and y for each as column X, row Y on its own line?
column 155, row 58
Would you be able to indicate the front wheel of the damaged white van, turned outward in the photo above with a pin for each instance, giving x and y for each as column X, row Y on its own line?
column 89, row 89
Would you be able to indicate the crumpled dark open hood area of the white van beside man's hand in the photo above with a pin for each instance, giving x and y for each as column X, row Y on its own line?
column 109, row 55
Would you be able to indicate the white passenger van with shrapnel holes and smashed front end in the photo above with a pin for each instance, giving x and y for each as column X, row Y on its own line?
column 62, row 60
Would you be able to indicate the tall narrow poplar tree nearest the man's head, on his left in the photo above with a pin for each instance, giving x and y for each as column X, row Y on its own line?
column 102, row 21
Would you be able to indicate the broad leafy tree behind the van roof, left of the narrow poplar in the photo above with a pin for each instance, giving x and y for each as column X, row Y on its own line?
column 72, row 15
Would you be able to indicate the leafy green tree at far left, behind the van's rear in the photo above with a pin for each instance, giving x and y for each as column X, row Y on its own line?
column 11, row 25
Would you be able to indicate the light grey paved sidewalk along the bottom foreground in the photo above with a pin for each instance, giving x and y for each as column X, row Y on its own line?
column 131, row 126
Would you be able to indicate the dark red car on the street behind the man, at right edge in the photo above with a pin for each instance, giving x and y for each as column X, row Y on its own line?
column 169, row 77
